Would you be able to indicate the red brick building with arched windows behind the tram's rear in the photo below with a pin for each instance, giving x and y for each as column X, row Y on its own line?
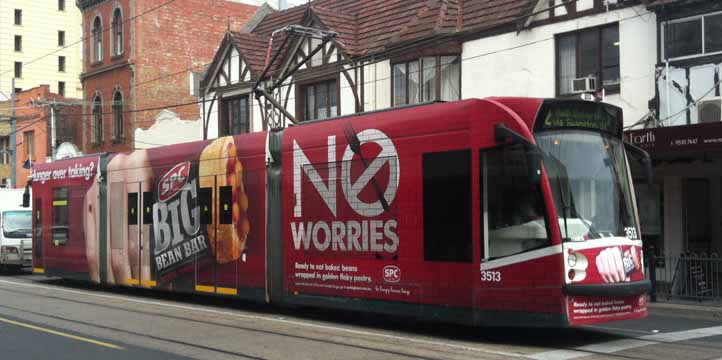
column 142, row 54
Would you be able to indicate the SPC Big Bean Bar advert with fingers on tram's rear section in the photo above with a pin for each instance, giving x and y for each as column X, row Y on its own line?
column 173, row 221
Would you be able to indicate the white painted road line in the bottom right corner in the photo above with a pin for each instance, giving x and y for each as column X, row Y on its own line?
column 614, row 346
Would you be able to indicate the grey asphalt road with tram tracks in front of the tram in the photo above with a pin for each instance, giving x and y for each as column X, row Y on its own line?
column 43, row 318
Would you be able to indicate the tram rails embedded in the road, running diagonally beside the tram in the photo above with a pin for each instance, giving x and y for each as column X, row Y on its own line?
column 356, row 341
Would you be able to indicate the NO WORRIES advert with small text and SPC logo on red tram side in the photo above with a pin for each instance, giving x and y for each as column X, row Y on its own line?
column 343, row 229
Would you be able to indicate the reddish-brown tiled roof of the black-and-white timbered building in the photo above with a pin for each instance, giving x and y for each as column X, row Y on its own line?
column 371, row 26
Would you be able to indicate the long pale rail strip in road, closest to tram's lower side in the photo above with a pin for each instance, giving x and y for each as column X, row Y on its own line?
column 402, row 339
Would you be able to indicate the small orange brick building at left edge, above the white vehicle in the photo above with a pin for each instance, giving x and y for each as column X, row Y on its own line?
column 34, row 128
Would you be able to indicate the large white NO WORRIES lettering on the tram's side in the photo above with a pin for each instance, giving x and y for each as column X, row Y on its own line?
column 373, row 235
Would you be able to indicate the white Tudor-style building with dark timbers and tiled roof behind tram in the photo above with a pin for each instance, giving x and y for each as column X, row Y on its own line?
column 392, row 53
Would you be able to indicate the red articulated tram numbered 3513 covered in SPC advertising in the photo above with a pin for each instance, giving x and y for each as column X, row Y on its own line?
column 500, row 211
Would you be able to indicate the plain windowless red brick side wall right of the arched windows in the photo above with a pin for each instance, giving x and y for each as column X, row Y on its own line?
column 177, row 37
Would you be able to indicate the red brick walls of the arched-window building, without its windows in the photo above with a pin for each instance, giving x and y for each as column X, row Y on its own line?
column 161, row 45
